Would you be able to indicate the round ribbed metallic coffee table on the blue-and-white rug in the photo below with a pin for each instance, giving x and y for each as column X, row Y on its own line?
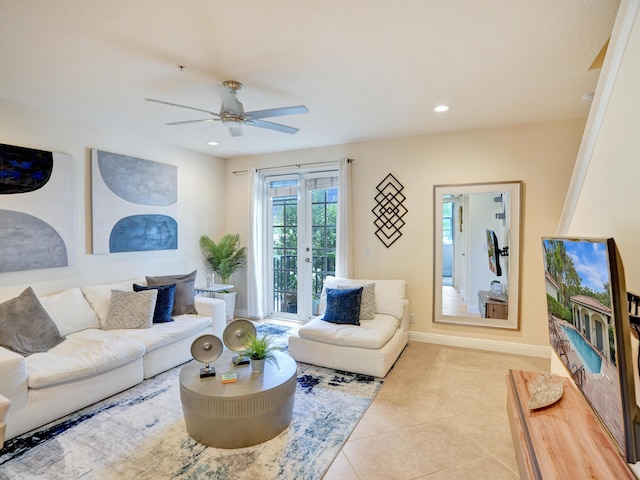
column 252, row 410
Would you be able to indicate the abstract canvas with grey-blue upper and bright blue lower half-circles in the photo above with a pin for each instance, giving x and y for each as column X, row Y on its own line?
column 134, row 204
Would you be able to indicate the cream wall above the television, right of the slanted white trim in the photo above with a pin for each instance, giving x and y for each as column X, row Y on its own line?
column 608, row 202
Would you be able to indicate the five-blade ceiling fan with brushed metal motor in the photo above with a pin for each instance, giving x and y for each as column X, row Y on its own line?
column 232, row 112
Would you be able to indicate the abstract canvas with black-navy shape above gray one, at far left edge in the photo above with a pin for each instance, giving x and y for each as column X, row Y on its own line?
column 36, row 209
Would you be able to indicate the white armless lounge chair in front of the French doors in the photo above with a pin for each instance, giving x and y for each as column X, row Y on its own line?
column 370, row 348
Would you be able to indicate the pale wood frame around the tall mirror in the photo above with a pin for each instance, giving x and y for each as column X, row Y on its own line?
column 515, row 205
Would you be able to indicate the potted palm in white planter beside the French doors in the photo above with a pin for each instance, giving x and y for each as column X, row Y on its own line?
column 224, row 258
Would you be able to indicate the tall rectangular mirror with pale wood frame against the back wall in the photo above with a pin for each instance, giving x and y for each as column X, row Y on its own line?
column 477, row 254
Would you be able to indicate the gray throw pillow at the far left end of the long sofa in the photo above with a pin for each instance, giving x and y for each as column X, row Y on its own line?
column 26, row 327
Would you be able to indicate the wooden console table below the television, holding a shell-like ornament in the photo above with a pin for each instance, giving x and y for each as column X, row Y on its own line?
column 562, row 441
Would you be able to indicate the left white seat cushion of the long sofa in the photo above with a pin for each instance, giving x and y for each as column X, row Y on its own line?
column 82, row 354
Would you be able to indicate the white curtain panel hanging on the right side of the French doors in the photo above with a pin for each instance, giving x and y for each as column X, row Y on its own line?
column 344, row 257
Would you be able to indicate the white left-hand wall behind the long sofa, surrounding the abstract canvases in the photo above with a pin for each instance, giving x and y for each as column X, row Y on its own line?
column 200, row 192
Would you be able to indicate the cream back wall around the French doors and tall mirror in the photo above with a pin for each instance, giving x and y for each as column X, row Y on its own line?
column 542, row 156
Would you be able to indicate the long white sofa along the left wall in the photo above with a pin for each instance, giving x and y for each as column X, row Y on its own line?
column 92, row 363
